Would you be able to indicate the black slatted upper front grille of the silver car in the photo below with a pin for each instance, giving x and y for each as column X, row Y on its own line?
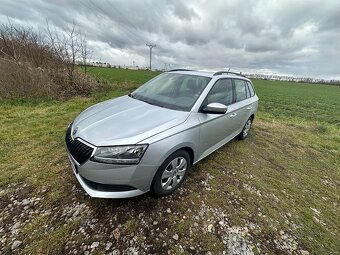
column 79, row 151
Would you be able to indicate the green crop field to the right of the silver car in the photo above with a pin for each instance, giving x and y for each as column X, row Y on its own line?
column 313, row 102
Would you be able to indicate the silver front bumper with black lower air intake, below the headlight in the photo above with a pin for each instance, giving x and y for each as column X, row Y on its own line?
column 113, row 181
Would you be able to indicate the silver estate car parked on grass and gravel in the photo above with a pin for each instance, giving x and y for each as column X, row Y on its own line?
column 148, row 140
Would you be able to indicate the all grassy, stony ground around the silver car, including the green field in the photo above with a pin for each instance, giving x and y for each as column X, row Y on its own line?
column 277, row 192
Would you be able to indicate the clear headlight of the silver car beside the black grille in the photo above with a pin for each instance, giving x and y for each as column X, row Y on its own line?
column 127, row 154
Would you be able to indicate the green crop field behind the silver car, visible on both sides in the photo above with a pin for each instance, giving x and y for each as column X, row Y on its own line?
column 313, row 102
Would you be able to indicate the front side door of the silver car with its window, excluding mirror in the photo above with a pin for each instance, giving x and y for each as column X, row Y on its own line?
column 217, row 129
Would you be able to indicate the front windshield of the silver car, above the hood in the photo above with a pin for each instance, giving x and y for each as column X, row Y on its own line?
column 172, row 90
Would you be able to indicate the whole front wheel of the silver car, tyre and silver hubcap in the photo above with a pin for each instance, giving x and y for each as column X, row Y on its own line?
column 171, row 173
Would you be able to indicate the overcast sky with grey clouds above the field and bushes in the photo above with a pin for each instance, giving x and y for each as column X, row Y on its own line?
column 283, row 37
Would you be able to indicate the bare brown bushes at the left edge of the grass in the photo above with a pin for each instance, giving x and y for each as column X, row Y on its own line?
column 36, row 65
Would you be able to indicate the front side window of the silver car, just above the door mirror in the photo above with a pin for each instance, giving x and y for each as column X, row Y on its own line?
column 221, row 92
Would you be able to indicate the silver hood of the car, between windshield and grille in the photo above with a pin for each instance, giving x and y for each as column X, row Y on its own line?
column 124, row 120
